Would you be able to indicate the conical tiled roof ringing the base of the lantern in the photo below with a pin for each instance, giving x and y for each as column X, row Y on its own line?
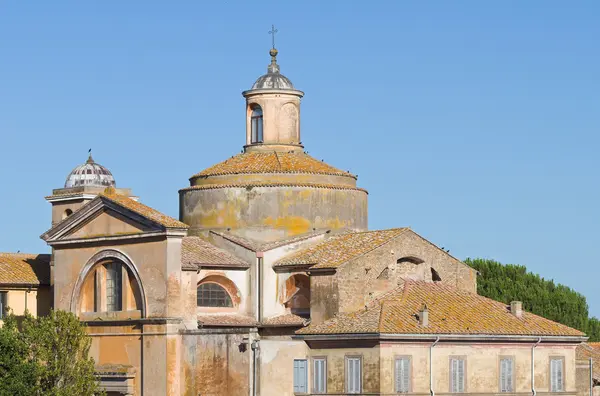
column 271, row 162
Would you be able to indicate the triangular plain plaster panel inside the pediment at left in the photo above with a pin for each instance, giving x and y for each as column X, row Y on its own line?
column 108, row 223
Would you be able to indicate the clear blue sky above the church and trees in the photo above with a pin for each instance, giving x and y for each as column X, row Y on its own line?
column 475, row 123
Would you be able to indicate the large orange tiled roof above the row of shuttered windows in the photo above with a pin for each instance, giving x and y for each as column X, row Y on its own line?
column 451, row 311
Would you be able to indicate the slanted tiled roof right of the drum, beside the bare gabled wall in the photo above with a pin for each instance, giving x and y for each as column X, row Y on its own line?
column 339, row 249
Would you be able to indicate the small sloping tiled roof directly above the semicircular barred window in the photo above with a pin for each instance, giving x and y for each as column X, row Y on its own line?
column 195, row 251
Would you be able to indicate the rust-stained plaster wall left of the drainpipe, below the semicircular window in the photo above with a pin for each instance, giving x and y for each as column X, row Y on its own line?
column 216, row 364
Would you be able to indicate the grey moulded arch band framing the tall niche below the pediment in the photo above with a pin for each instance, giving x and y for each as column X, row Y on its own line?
column 97, row 259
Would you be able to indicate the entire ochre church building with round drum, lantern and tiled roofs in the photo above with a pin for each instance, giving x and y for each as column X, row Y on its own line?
column 270, row 283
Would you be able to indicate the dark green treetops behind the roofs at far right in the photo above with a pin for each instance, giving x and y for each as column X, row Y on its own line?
column 542, row 297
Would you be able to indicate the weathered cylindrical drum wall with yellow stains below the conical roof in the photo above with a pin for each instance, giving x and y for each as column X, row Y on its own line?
column 270, row 213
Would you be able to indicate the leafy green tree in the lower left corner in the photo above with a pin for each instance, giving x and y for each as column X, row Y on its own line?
column 46, row 356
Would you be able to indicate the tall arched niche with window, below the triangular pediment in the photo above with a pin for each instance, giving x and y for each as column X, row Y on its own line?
column 109, row 283
